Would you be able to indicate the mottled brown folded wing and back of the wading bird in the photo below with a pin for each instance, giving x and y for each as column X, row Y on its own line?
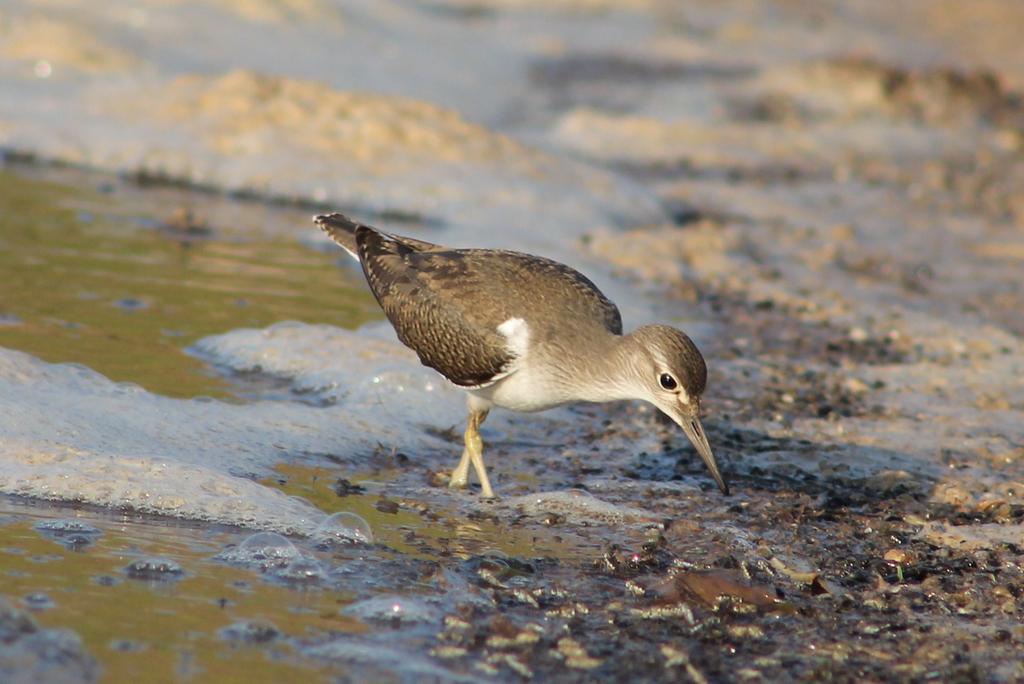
column 447, row 305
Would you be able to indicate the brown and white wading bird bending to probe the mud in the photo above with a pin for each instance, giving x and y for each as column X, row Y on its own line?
column 524, row 333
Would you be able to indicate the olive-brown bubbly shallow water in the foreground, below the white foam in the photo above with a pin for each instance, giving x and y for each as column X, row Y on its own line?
column 167, row 601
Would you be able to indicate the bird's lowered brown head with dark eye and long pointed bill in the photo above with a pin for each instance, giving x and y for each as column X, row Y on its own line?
column 673, row 376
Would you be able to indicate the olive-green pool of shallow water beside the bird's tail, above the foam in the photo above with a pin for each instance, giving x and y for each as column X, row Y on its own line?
column 101, row 274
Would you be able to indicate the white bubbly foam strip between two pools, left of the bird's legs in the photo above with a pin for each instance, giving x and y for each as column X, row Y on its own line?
column 70, row 434
